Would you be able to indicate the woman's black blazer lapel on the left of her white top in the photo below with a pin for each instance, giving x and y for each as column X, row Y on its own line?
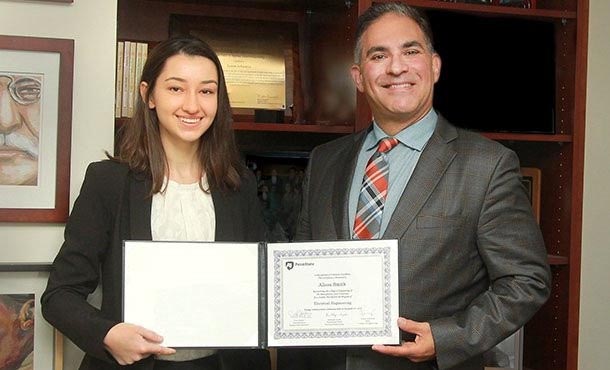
column 140, row 203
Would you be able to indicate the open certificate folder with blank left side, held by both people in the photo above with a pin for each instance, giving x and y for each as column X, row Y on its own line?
column 232, row 295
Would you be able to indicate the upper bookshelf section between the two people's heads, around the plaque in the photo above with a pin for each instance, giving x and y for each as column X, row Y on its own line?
column 317, row 67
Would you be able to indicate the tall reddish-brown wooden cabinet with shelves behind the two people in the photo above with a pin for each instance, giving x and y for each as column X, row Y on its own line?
column 325, row 105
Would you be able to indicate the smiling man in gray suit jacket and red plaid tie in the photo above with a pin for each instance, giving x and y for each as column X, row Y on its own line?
column 473, row 263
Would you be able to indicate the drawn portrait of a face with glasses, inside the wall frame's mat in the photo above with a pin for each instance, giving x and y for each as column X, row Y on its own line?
column 19, row 128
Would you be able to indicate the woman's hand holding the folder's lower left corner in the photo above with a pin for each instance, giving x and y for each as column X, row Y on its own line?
column 129, row 343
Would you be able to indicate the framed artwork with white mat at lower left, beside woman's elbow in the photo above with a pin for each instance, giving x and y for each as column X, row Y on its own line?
column 28, row 341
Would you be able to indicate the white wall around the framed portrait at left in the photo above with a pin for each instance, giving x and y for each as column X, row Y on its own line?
column 92, row 25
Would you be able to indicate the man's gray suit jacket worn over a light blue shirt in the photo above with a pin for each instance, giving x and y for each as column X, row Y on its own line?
column 472, row 258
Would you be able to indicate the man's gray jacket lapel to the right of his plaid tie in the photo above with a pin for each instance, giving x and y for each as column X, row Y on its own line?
column 432, row 164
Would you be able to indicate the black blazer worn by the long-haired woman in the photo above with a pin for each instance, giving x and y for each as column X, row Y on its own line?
column 114, row 205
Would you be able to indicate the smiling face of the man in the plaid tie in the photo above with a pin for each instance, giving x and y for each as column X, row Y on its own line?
column 397, row 72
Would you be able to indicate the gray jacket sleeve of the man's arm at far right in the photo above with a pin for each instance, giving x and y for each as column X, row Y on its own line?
column 510, row 244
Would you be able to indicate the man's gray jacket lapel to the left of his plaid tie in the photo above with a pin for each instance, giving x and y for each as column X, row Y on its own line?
column 347, row 159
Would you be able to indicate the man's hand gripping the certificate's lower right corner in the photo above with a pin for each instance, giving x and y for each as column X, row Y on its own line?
column 422, row 349
